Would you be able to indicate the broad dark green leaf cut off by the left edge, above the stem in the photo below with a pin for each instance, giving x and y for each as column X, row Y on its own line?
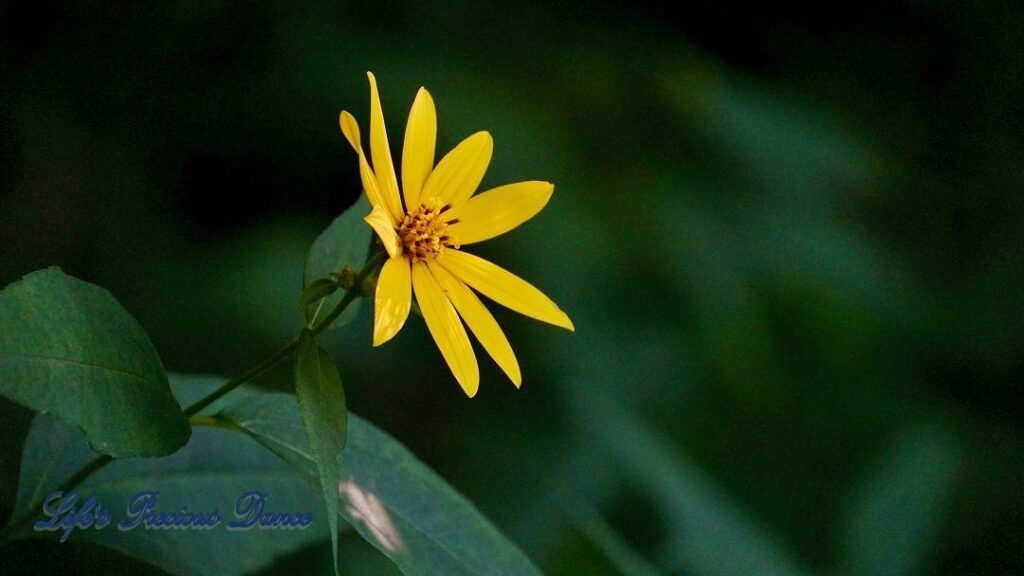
column 70, row 350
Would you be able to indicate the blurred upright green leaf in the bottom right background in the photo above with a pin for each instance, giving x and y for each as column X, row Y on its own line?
column 898, row 513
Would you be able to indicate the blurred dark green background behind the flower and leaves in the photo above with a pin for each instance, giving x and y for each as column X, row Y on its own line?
column 791, row 242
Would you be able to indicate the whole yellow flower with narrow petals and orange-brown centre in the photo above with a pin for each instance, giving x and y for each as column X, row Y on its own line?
column 424, row 229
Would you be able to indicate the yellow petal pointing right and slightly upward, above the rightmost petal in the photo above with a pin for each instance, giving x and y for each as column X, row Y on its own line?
column 497, row 212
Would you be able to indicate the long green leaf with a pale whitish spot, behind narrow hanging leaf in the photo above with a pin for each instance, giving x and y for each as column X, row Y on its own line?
column 393, row 500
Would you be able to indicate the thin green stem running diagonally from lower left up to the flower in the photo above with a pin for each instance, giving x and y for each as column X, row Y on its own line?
column 19, row 522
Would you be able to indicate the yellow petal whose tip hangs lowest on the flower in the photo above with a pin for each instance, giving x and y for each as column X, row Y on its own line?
column 447, row 330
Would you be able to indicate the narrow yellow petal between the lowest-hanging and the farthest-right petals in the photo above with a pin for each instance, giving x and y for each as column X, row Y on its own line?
column 481, row 322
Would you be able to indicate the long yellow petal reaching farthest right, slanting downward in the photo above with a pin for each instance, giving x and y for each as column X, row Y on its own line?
column 503, row 287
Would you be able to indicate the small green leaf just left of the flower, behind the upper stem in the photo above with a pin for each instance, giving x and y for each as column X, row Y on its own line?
column 346, row 242
